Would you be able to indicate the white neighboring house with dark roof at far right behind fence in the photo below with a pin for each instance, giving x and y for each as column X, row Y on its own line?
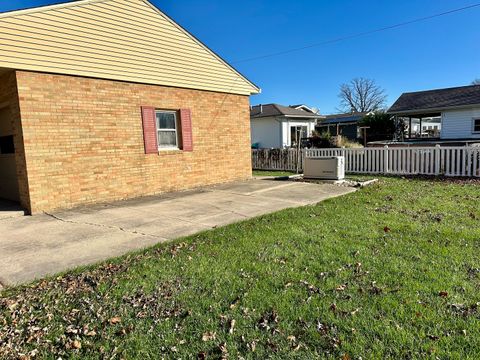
column 448, row 114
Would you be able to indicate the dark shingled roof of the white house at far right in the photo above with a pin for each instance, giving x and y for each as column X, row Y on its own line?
column 436, row 100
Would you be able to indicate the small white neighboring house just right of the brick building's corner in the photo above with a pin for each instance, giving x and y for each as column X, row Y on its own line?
column 278, row 126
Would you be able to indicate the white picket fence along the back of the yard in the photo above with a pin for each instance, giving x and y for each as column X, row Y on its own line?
column 448, row 161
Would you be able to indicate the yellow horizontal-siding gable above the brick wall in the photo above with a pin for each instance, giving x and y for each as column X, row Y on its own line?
column 126, row 40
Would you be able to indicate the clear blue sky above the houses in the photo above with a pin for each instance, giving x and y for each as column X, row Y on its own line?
column 442, row 52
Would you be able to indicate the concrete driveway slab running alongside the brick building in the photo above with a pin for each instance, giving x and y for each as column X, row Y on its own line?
column 34, row 246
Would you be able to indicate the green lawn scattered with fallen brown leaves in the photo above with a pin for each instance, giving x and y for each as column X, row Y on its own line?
column 391, row 271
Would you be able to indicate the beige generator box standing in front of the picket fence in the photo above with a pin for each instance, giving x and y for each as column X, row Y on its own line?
column 325, row 168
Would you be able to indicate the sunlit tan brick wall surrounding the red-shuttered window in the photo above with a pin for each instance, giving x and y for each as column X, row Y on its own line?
column 84, row 140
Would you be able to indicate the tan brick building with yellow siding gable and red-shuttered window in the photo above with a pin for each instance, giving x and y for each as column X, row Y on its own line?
column 102, row 100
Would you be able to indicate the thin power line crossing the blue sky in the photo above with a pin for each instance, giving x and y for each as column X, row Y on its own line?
column 353, row 36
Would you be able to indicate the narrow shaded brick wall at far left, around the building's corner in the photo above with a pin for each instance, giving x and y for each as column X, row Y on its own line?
column 9, row 102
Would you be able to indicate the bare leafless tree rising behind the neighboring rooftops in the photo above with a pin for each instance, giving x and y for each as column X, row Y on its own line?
column 362, row 95
